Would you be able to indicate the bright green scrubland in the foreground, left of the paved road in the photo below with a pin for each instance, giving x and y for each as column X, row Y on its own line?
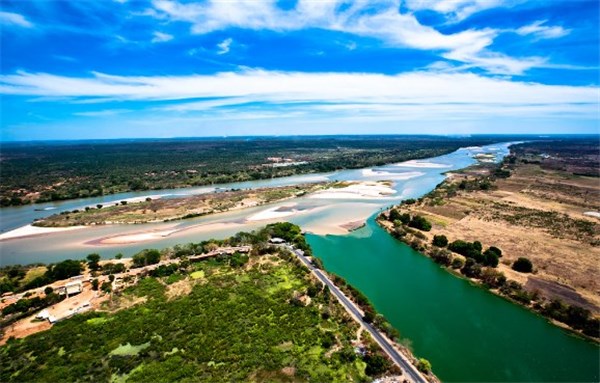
column 261, row 317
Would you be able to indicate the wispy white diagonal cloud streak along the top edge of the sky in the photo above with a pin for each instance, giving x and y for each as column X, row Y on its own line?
column 378, row 19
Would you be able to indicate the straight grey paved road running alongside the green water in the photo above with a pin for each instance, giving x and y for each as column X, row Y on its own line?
column 408, row 369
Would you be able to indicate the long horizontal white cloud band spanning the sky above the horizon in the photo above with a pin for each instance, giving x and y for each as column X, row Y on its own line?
column 402, row 97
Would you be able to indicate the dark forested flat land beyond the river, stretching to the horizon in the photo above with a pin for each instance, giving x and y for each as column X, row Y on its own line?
column 37, row 172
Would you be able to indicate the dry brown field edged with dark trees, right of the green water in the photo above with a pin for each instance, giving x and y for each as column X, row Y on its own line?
column 534, row 192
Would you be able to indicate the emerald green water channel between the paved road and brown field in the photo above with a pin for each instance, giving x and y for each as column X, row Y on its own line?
column 467, row 333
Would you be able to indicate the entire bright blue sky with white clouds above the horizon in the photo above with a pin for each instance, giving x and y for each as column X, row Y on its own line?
column 171, row 68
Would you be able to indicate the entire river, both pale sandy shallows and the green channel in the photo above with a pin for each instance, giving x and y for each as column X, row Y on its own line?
column 467, row 333
